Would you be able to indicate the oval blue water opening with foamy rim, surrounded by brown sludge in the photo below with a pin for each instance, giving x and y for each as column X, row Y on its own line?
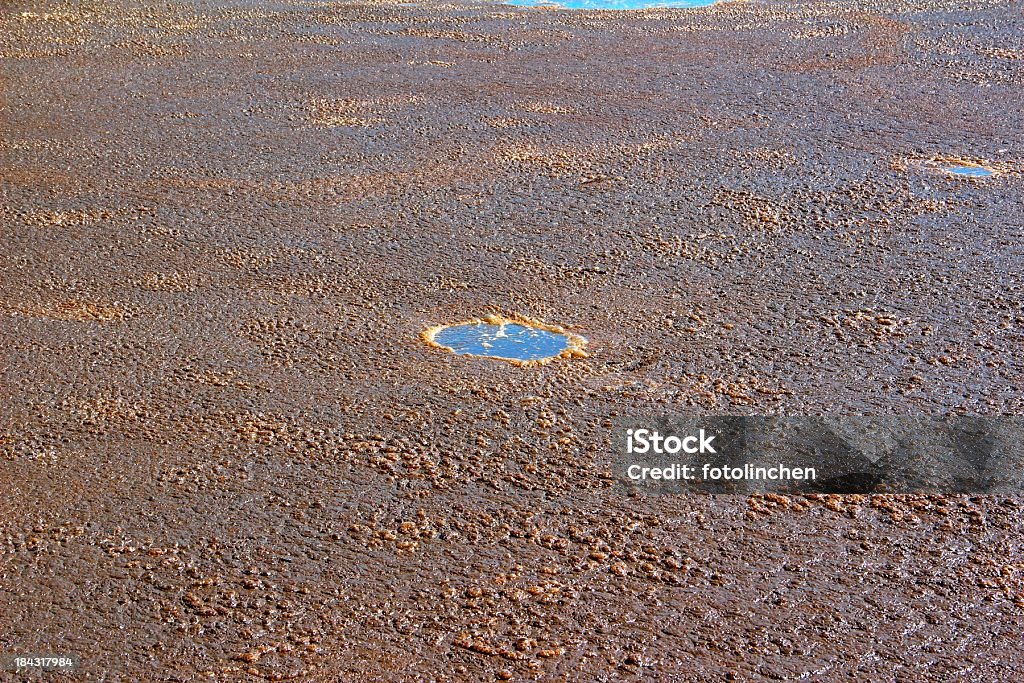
column 509, row 341
